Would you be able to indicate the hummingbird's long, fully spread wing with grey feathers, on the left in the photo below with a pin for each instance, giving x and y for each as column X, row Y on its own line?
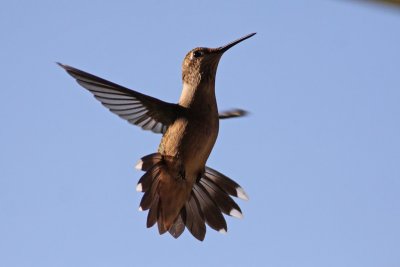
column 145, row 111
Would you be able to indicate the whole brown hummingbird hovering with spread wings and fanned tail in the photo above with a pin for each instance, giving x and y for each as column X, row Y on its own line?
column 180, row 191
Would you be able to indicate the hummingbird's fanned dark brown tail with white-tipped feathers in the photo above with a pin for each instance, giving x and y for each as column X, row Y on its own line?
column 173, row 209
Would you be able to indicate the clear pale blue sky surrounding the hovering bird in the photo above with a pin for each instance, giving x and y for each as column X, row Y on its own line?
column 319, row 154
